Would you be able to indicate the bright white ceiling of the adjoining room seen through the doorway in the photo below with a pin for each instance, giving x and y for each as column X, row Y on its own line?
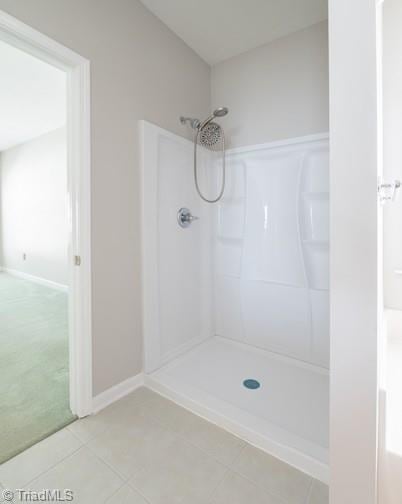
column 32, row 97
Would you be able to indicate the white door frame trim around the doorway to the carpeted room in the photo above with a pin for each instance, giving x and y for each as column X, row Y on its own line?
column 77, row 69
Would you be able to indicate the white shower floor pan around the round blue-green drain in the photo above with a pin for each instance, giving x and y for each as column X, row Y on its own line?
column 287, row 416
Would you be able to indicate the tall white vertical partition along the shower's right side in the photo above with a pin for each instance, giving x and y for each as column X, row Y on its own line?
column 355, row 254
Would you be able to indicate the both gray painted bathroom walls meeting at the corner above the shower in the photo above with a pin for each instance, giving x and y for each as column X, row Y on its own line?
column 141, row 70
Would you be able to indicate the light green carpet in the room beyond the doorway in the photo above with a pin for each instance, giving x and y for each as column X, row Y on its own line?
column 34, row 392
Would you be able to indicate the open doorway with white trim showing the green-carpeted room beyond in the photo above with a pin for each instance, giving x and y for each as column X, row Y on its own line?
column 46, row 262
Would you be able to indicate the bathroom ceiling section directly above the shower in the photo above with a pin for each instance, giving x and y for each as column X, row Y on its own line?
column 219, row 29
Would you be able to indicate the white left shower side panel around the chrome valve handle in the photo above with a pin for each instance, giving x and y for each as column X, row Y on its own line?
column 177, row 269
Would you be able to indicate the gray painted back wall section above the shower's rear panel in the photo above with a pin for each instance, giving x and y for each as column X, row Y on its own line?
column 277, row 91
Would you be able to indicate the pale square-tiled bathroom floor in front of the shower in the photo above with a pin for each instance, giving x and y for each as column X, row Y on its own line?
column 145, row 449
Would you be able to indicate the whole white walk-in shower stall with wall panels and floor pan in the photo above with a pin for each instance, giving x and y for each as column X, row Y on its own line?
column 236, row 301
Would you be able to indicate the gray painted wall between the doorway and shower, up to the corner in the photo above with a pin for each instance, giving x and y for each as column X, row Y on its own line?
column 140, row 70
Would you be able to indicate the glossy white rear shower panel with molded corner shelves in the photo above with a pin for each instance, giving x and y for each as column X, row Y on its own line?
column 271, row 249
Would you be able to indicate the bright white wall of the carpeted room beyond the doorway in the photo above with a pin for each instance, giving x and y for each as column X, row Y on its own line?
column 33, row 220
